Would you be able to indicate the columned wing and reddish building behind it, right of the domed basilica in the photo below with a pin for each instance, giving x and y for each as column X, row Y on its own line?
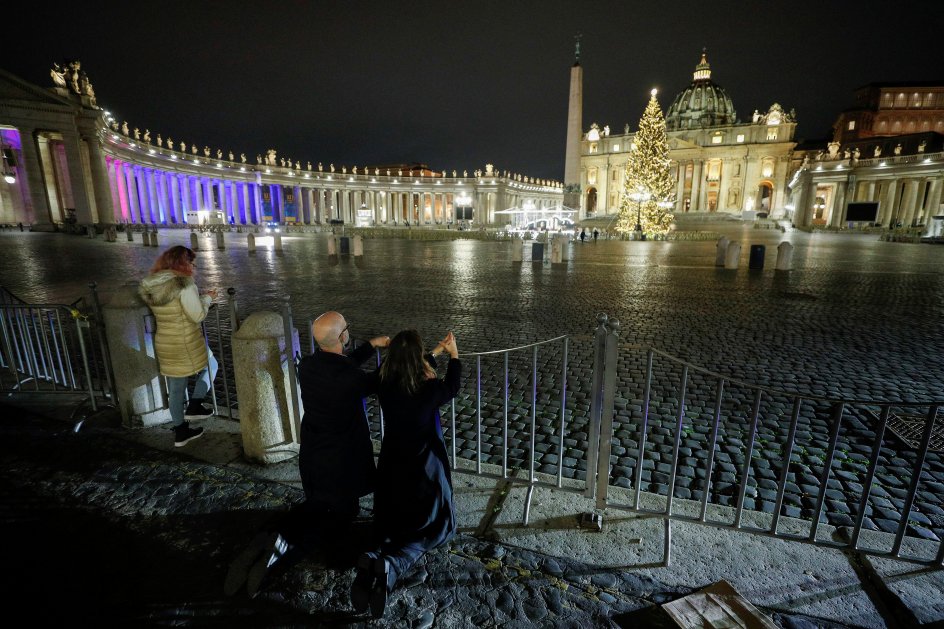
column 886, row 158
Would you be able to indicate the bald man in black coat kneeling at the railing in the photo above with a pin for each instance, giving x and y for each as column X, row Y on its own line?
column 336, row 460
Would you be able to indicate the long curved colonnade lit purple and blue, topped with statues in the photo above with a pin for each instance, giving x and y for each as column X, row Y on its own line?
column 69, row 162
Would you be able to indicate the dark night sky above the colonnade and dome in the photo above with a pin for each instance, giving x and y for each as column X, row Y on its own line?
column 456, row 85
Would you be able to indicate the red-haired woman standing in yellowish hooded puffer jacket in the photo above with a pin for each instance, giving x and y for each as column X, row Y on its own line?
column 171, row 294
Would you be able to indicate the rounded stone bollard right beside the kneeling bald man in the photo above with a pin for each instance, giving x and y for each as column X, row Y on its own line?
column 260, row 361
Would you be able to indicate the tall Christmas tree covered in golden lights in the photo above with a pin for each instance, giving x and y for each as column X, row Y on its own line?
column 648, row 182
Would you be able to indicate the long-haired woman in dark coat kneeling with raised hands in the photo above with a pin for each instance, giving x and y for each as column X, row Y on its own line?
column 413, row 507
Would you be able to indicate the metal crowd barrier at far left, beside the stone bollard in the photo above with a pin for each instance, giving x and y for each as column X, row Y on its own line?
column 53, row 349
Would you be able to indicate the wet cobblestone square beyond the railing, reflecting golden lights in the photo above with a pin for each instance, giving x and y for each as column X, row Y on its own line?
column 856, row 318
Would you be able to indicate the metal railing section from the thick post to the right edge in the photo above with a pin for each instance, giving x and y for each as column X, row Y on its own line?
column 725, row 453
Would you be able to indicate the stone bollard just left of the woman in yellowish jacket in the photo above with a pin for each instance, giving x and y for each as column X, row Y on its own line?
column 129, row 327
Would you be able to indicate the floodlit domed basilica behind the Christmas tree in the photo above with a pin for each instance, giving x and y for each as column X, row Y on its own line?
column 720, row 164
